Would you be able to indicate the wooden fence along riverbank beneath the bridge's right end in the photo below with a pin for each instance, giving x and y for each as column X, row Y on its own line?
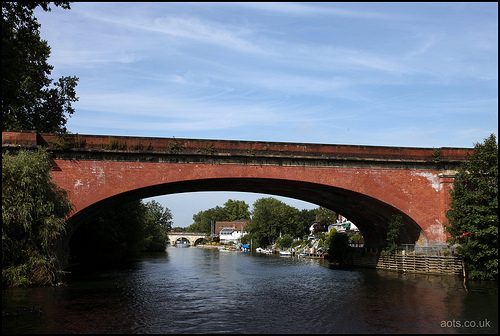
column 412, row 263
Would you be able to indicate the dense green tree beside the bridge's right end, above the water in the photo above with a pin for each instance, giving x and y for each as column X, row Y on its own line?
column 473, row 214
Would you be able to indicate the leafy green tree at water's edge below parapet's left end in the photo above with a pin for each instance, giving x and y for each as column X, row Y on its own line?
column 33, row 218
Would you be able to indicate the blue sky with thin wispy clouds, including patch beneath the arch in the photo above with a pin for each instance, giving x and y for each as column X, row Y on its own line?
column 384, row 74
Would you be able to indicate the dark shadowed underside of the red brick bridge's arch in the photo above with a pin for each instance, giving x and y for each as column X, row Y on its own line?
column 370, row 215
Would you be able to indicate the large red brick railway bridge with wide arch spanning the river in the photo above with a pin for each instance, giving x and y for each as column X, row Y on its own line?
column 367, row 184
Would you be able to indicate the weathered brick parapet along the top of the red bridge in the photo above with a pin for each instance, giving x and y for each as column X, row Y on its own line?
column 122, row 145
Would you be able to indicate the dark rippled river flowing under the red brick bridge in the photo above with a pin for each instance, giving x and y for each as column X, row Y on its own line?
column 200, row 290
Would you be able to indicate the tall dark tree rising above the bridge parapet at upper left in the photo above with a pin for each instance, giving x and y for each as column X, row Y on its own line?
column 29, row 101
